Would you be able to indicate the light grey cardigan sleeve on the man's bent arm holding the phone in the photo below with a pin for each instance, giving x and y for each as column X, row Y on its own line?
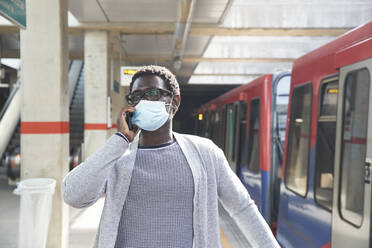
column 86, row 183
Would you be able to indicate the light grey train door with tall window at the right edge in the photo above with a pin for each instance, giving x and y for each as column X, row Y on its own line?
column 353, row 157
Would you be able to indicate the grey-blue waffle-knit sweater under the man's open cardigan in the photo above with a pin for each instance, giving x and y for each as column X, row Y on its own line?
column 158, row 209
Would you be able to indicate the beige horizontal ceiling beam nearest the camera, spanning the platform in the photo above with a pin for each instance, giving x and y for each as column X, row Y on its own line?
column 196, row 30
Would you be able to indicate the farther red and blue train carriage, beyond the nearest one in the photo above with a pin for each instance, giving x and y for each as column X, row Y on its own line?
column 248, row 123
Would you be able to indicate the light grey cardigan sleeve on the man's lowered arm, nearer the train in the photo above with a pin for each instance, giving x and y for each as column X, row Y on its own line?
column 236, row 200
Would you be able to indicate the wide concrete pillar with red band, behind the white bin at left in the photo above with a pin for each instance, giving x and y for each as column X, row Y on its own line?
column 45, row 107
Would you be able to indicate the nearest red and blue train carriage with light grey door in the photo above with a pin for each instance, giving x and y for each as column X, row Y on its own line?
column 325, row 196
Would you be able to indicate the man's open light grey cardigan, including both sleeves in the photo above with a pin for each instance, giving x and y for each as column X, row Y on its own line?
column 108, row 172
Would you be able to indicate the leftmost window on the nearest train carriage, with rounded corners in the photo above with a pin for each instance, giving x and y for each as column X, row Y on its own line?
column 298, row 140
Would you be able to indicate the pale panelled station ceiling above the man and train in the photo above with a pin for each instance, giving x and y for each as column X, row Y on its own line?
column 227, row 41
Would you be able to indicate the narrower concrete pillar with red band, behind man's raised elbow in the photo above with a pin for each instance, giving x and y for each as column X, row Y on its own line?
column 97, row 78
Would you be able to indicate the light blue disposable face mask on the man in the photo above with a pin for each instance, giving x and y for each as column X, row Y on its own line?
column 150, row 115
